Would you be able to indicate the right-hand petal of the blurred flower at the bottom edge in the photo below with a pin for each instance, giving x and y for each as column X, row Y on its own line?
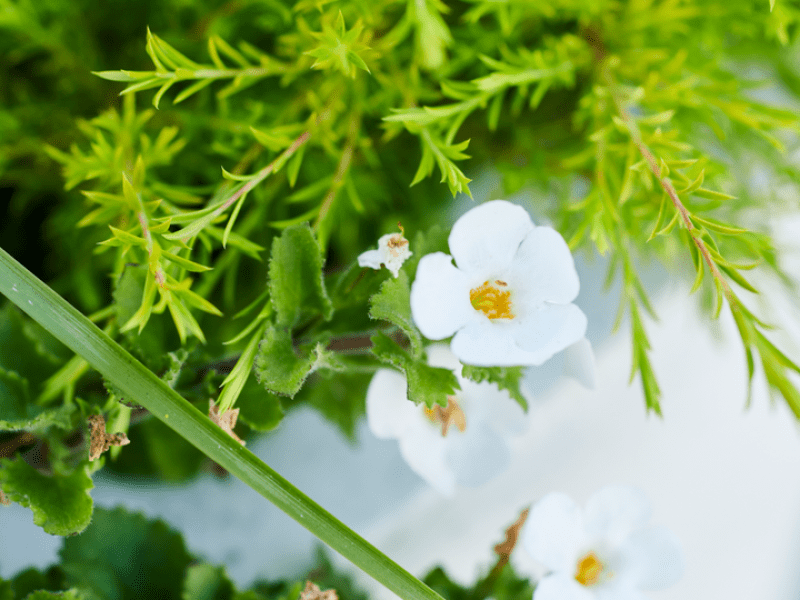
column 652, row 558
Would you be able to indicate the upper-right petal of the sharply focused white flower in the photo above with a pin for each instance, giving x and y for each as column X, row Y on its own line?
column 543, row 269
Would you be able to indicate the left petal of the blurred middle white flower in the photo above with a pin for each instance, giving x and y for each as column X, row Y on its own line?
column 389, row 412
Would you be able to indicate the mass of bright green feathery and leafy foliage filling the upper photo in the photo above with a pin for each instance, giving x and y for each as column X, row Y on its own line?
column 209, row 221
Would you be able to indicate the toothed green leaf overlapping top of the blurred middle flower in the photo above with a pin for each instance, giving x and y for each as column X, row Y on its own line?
column 426, row 385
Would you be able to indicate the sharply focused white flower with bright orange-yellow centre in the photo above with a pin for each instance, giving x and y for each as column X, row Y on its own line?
column 509, row 300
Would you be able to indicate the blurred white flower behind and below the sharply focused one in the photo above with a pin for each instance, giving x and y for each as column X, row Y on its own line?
column 464, row 443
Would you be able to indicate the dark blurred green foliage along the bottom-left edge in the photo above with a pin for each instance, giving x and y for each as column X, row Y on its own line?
column 124, row 556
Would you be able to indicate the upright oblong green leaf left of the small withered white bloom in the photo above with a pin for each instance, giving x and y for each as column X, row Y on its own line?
column 297, row 288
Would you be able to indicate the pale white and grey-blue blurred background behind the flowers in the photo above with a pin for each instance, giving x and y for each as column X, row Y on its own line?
column 725, row 478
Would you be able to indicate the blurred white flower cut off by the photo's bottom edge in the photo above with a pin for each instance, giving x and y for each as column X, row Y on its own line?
column 605, row 551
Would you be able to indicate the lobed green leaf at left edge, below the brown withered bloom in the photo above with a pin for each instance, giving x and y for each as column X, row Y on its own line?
column 61, row 504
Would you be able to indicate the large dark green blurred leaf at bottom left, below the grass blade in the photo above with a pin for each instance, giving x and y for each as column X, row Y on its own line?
column 123, row 556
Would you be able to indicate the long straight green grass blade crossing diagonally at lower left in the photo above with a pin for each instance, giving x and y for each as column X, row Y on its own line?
column 63, row 321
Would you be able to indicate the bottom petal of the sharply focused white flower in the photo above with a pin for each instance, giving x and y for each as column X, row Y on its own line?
column 488, row 344
